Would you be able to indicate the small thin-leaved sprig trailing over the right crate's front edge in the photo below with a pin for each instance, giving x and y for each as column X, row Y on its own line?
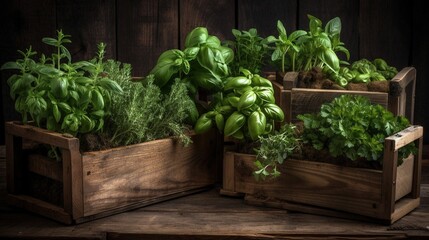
column 274, row 149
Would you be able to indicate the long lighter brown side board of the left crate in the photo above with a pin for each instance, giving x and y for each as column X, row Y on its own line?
column 123, row 176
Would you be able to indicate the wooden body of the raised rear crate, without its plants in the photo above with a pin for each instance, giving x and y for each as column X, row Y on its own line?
column 294, row 101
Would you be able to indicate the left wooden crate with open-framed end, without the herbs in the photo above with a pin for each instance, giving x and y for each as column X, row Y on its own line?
column 100, row 183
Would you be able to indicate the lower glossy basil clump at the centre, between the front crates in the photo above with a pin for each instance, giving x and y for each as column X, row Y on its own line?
column 244, row 110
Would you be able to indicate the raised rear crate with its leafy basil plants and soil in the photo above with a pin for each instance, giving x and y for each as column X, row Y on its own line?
column 308, row 60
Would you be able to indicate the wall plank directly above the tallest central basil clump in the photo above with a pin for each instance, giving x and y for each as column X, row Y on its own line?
column 217, row 16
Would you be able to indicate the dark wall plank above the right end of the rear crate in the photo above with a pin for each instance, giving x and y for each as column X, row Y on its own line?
column 385, row 27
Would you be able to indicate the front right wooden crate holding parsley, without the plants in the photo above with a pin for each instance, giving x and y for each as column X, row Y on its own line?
column 321, row 188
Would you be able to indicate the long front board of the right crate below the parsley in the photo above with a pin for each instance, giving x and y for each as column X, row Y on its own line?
column 319, row 184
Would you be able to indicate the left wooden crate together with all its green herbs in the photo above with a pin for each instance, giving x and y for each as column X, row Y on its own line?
column 112, row 138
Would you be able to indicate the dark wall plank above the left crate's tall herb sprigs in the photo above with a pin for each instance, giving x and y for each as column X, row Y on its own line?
column 88, row 23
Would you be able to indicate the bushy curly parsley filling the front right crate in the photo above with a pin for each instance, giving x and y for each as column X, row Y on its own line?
column 352, row 127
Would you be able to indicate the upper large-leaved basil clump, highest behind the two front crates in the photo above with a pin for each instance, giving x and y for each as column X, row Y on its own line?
column 202, row 64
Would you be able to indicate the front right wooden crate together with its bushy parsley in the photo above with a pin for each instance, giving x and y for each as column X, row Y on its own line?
column 356, row 160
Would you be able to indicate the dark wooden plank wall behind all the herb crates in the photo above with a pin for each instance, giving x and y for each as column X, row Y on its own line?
column 137, row 31
